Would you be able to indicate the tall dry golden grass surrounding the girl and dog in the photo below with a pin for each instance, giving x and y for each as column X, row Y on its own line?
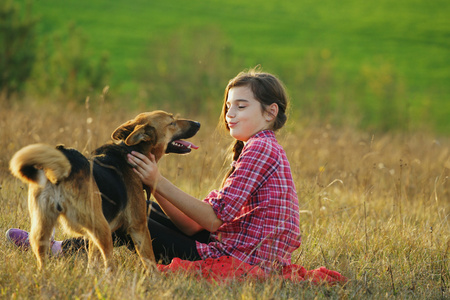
column 373, row 207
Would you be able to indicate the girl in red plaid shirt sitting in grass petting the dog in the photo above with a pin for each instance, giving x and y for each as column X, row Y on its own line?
column 254, row 217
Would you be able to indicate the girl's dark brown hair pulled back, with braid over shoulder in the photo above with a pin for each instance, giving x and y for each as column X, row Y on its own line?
column 267, row 89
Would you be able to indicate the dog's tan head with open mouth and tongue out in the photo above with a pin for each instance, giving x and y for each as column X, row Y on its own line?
column 158, row 132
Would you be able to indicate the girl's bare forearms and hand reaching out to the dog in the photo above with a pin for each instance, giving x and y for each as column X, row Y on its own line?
column 200, row 213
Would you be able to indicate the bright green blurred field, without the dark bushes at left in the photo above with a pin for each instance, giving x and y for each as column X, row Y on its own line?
column 351, row 57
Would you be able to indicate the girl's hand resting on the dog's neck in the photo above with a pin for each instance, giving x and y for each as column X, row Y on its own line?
column 145, row 167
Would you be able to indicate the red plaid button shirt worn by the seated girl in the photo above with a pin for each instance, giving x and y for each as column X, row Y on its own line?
column 258, row 206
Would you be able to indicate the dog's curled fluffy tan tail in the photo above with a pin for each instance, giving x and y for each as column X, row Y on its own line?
column 38, row 163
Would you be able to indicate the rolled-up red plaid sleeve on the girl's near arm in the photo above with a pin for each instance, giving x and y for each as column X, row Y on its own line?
column 257, row 162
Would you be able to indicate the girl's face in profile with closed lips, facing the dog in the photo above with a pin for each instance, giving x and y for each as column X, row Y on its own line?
column 245, row 116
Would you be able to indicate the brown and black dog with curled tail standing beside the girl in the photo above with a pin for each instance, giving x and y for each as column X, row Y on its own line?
column 93, row 197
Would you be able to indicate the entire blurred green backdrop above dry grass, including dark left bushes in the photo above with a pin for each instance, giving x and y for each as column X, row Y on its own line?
column 381, row 65
